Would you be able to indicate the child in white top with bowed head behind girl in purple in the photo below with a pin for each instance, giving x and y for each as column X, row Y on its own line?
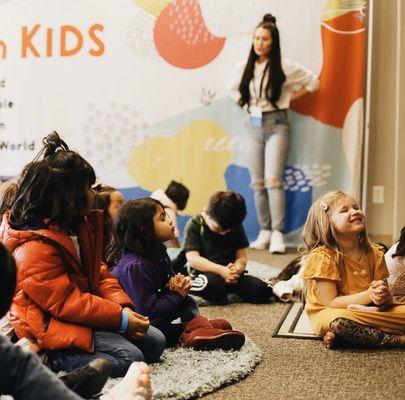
column 174, row 199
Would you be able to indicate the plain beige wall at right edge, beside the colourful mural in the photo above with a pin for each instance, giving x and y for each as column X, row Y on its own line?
column 386, row 164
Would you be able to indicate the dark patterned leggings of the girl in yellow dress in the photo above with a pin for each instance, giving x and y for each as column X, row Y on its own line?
column 353, row 333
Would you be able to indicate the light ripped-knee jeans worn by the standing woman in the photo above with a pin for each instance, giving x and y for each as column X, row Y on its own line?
column 266, row 156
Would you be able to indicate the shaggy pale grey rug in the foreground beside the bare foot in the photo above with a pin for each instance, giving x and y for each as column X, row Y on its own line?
column 186, row 374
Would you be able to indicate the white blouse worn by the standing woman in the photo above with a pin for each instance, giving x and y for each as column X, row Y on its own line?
column 297, row 78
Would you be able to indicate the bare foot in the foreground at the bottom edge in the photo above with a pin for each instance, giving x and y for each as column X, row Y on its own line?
column 134, row 386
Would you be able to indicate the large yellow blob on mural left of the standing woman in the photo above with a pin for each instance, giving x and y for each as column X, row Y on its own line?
column 195, row 156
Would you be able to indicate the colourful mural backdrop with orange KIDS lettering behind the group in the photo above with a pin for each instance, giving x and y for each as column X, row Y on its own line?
column 138, row 87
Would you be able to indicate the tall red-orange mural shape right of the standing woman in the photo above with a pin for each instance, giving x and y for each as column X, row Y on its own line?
column 342, row 75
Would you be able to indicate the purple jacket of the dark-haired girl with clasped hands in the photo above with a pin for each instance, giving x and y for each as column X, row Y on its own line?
column 145, row 283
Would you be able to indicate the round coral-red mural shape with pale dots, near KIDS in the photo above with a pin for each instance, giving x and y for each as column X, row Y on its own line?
column 182, row 38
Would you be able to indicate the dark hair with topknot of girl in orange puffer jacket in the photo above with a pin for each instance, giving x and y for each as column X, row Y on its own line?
column 54, row 187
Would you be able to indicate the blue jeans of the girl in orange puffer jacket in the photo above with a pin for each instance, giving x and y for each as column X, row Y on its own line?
column 115, row 348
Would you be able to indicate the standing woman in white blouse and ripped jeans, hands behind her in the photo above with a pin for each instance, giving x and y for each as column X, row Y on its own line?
column 265, row 86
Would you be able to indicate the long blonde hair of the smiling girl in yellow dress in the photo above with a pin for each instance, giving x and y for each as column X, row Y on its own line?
column 319, row 230
